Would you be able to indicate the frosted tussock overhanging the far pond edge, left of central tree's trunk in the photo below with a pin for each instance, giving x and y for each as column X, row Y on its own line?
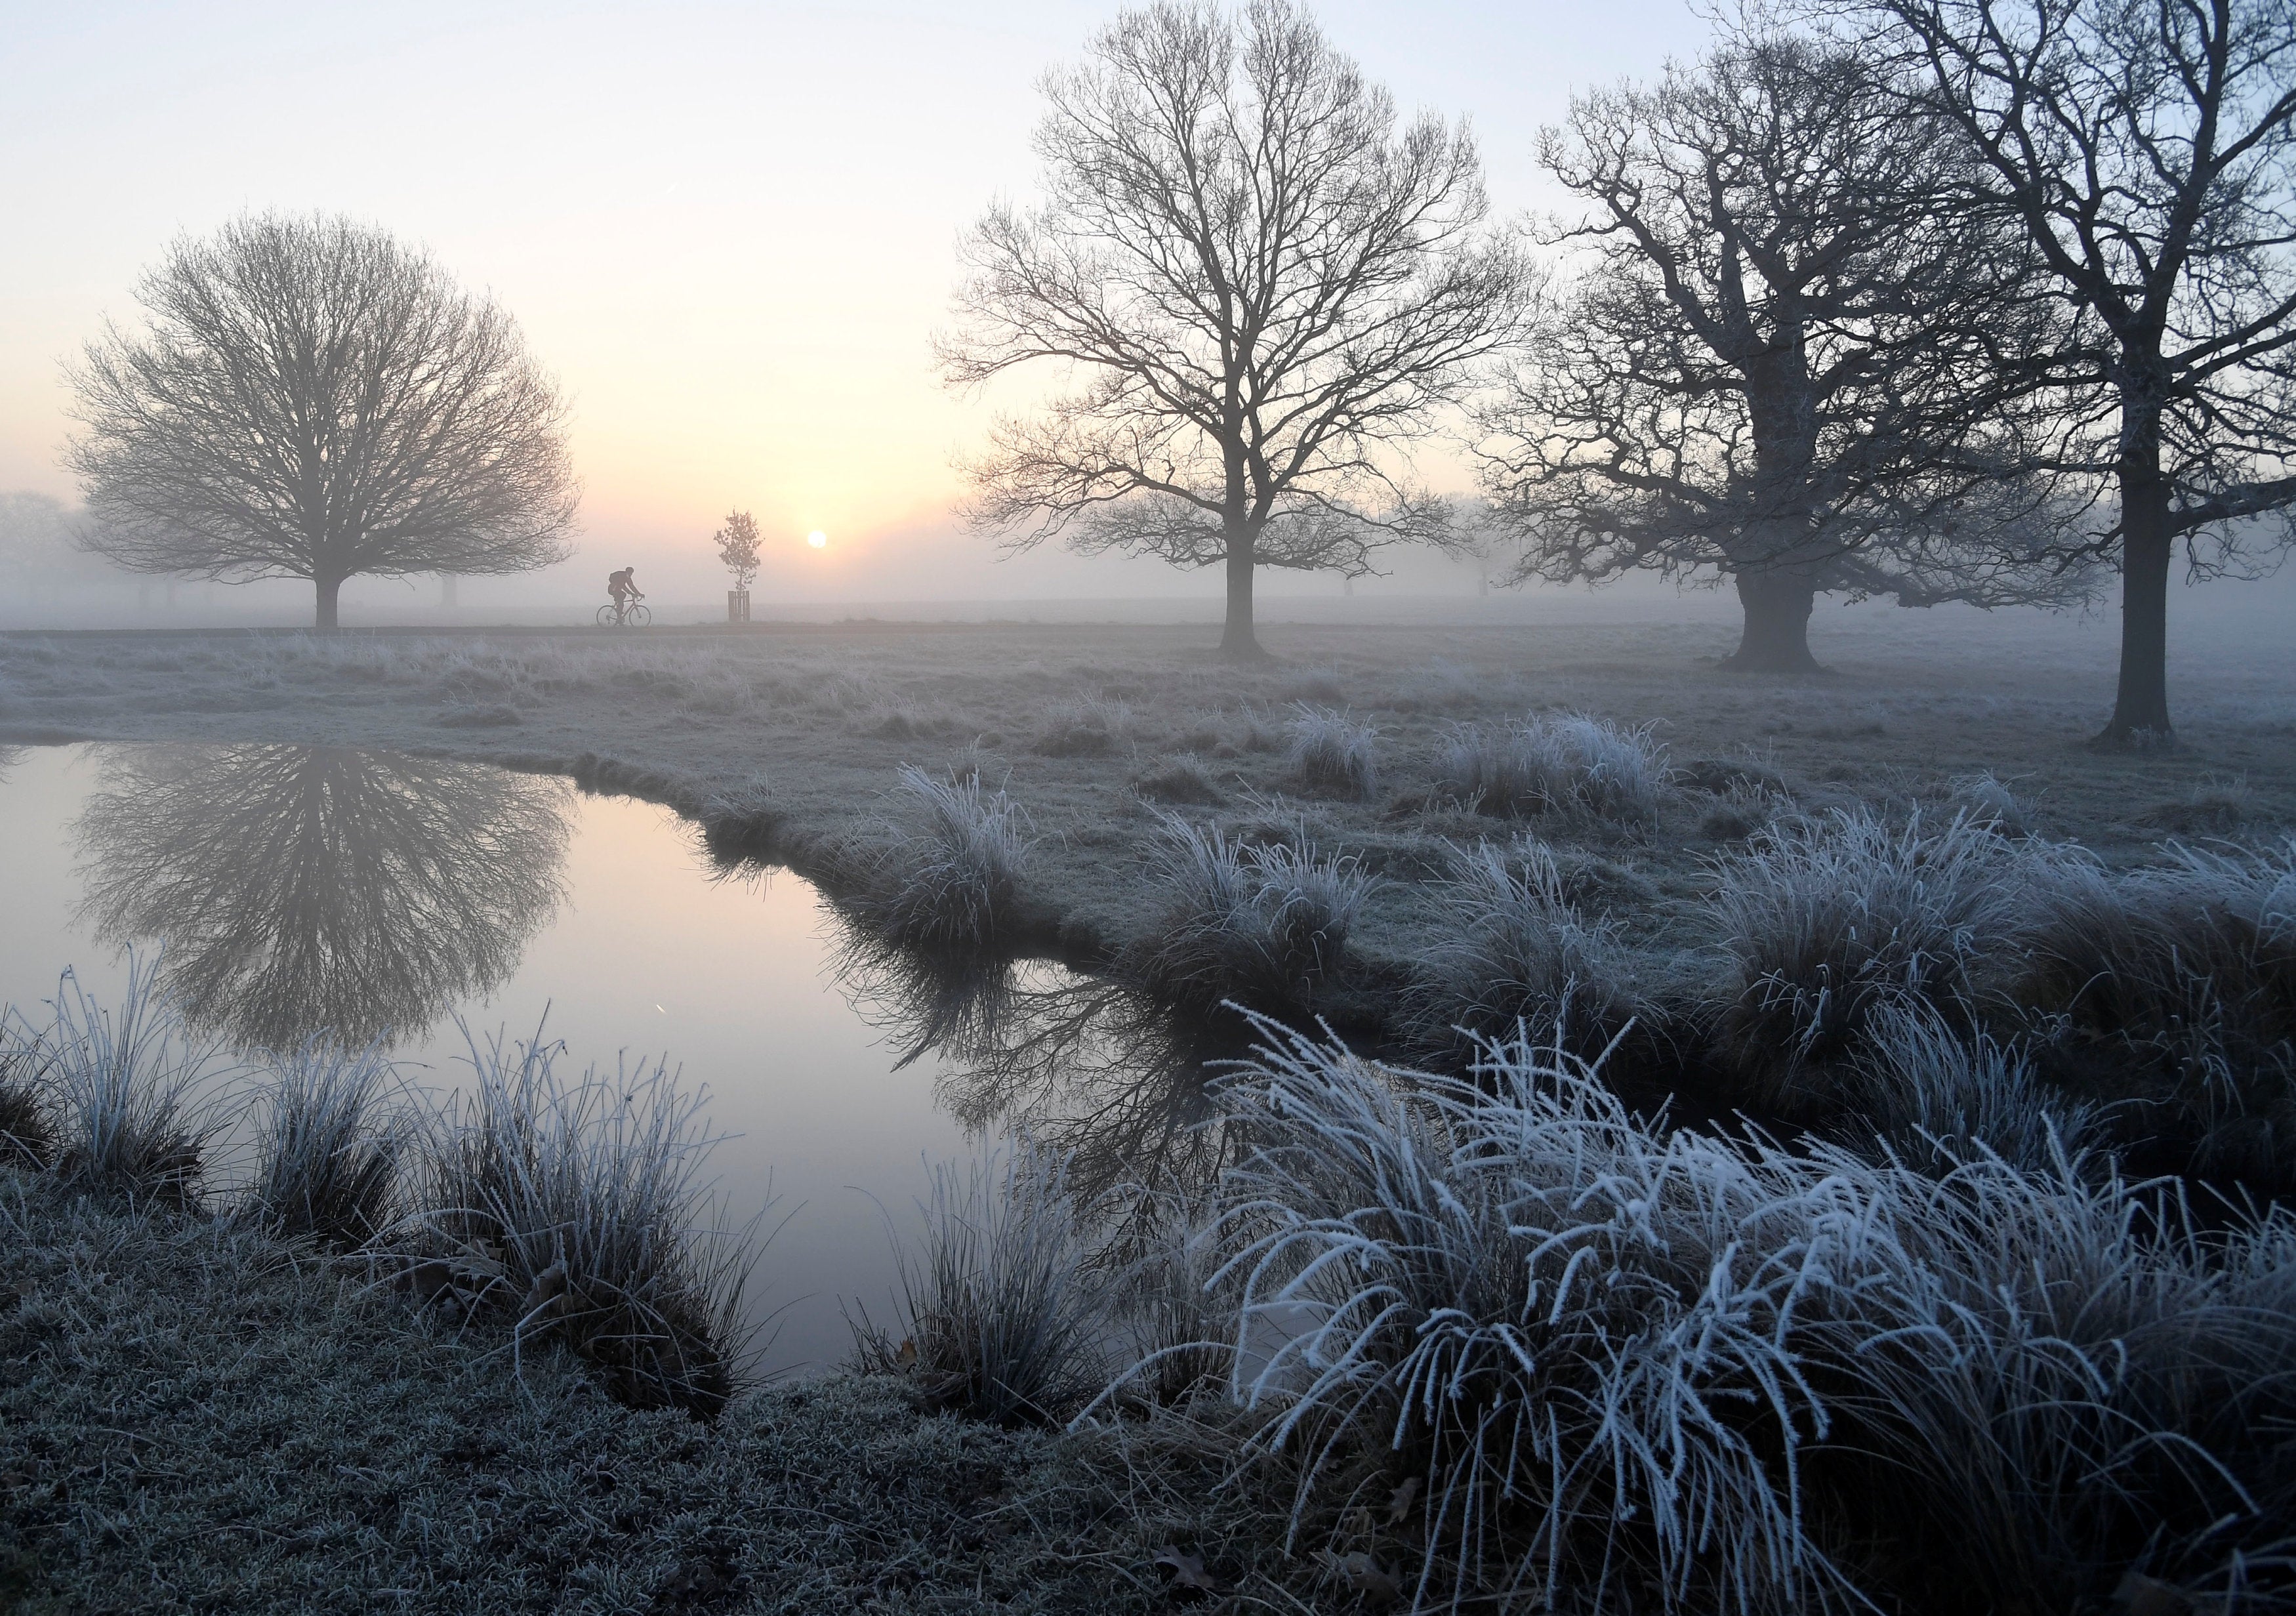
column 956, row 883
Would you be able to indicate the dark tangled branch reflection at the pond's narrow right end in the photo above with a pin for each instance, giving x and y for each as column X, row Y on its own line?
column 1083, row 1066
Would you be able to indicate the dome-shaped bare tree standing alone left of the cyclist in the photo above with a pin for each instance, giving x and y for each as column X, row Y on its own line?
column 318, row 401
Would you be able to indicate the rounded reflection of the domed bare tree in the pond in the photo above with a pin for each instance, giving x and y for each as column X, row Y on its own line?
column 323, row 889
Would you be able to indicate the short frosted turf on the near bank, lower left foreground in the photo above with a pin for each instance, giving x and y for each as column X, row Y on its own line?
column 203, row 1417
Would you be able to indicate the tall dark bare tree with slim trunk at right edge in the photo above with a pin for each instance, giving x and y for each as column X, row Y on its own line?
column 2148, row 150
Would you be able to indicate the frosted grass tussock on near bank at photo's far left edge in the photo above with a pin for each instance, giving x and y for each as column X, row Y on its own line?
column 125, row 1094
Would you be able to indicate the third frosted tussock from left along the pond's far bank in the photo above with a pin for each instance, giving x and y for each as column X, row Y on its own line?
column 1514, row 951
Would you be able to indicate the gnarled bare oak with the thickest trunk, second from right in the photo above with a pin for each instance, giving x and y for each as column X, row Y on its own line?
column 1781, row 362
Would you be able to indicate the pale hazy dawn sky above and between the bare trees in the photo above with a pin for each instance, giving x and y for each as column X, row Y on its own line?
column 731, row 231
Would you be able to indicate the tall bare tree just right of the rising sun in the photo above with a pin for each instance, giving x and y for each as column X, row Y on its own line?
column 1259, row 288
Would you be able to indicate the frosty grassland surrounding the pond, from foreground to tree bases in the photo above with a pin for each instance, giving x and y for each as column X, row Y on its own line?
column 1769, row 1144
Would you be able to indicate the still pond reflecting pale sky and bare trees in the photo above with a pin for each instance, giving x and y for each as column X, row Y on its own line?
column 380, row 896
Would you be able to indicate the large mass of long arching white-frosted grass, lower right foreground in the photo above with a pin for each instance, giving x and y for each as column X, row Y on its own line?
column 1611, row 1367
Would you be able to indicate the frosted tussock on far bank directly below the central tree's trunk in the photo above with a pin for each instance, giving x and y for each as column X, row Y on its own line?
column 1255, row 922
